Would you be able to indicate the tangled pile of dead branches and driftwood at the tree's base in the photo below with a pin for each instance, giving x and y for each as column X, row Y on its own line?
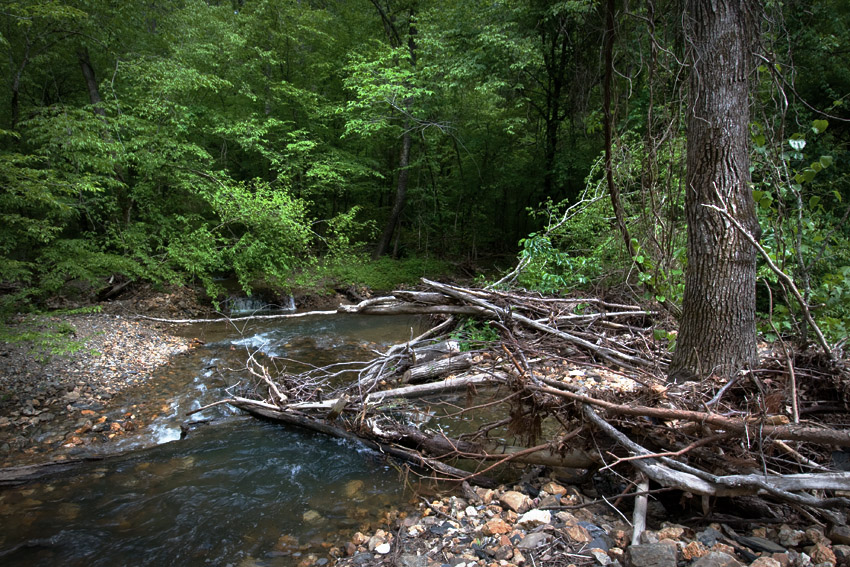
column 581, row 383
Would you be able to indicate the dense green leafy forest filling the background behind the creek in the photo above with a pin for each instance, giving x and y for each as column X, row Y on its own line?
column 183, row 141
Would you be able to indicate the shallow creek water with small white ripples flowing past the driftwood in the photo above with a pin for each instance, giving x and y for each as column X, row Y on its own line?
column 239, row 492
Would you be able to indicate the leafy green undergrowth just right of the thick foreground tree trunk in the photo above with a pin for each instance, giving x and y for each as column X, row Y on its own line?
column 796, row 198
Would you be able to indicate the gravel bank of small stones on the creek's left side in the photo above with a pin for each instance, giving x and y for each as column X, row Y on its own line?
column 54, row 404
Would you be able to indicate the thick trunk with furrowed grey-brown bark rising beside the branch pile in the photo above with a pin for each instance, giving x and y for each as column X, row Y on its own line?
column 717, row 333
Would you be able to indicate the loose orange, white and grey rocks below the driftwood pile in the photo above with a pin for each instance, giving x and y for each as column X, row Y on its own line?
column 545, row 523
